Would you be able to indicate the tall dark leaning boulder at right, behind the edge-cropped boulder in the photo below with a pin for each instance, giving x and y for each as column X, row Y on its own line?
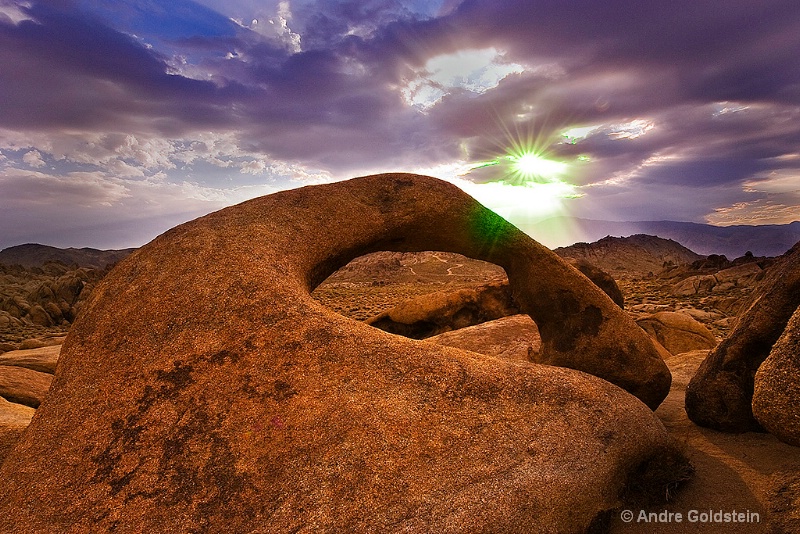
column 720, row 394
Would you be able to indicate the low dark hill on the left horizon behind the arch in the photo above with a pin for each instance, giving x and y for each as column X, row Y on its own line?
column 33, row 255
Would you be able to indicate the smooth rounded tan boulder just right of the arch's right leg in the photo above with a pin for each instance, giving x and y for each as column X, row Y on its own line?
column 677, row 332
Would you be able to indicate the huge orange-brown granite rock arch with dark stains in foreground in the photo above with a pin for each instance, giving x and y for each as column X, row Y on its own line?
column 238, row 403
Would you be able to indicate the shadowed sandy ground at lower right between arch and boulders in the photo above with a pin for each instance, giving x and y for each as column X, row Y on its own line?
column 733, row 473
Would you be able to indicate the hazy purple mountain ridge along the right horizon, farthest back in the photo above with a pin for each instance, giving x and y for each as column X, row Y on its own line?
column 732, row 241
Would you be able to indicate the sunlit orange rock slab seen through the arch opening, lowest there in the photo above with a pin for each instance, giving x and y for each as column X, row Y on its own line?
column 515, row 337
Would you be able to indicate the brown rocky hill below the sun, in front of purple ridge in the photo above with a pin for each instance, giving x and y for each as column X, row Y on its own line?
column 636, row 255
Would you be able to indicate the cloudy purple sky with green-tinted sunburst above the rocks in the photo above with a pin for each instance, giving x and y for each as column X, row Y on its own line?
column 122, row 118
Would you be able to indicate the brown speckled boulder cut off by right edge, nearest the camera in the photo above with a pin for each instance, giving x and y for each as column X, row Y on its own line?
column 776, row 396
